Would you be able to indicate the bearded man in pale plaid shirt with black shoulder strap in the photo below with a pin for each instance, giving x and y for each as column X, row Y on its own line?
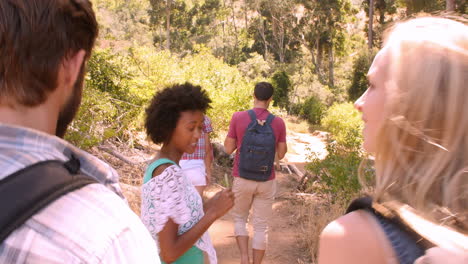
column 44, row 47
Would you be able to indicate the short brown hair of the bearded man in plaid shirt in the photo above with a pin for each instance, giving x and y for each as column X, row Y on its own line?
column 35, row 37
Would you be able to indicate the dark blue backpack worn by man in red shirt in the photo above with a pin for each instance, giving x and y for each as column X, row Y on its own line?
column 257, row 152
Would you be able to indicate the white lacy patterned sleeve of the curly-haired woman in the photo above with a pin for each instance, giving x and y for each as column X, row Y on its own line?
column 163, row 197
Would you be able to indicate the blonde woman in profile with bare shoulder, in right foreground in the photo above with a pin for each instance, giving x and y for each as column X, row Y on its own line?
column 416, row 125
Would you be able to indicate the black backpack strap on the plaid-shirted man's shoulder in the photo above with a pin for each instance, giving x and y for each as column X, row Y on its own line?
column 27, row 191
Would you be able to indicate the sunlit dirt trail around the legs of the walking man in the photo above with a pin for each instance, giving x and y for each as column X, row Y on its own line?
column 284, row 241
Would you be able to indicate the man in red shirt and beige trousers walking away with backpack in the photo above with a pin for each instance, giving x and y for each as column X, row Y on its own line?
column 257, row 135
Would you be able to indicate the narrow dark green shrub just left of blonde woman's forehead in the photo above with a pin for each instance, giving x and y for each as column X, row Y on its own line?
column 361, row 66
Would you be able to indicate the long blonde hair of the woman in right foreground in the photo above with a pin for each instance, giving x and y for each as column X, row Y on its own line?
column 421, row 157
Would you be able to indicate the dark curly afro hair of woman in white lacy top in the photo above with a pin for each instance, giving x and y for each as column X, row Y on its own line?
column 164, row 110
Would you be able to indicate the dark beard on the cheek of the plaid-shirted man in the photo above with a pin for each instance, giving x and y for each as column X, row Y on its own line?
column 69, row 110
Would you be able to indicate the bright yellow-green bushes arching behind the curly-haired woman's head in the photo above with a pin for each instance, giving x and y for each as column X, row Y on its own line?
column 119, row 86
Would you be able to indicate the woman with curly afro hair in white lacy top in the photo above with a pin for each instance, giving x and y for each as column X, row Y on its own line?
column 172, row 209
